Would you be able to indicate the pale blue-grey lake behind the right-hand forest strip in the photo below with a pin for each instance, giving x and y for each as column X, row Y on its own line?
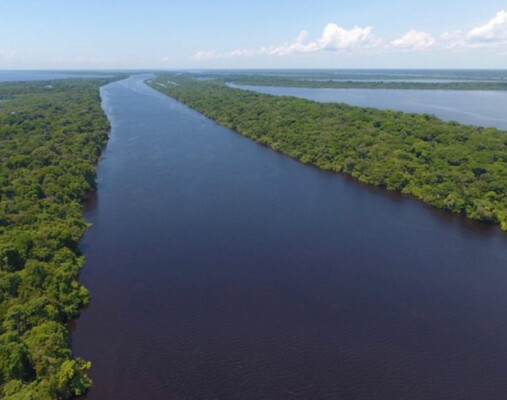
column 485, row 108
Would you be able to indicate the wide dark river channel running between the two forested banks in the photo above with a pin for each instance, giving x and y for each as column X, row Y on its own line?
column 220, row 269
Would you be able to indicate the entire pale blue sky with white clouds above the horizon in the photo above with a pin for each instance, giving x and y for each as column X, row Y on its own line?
column 168, row 34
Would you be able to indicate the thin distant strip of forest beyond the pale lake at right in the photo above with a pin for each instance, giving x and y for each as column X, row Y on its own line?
column 355, row 83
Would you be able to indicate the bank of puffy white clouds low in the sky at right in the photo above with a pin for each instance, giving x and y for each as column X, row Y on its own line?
column 337, row 38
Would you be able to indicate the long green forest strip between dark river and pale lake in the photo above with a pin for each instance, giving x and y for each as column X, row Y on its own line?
column 451, row 166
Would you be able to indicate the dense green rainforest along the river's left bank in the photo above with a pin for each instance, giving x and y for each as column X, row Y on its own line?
column 51, row 136
